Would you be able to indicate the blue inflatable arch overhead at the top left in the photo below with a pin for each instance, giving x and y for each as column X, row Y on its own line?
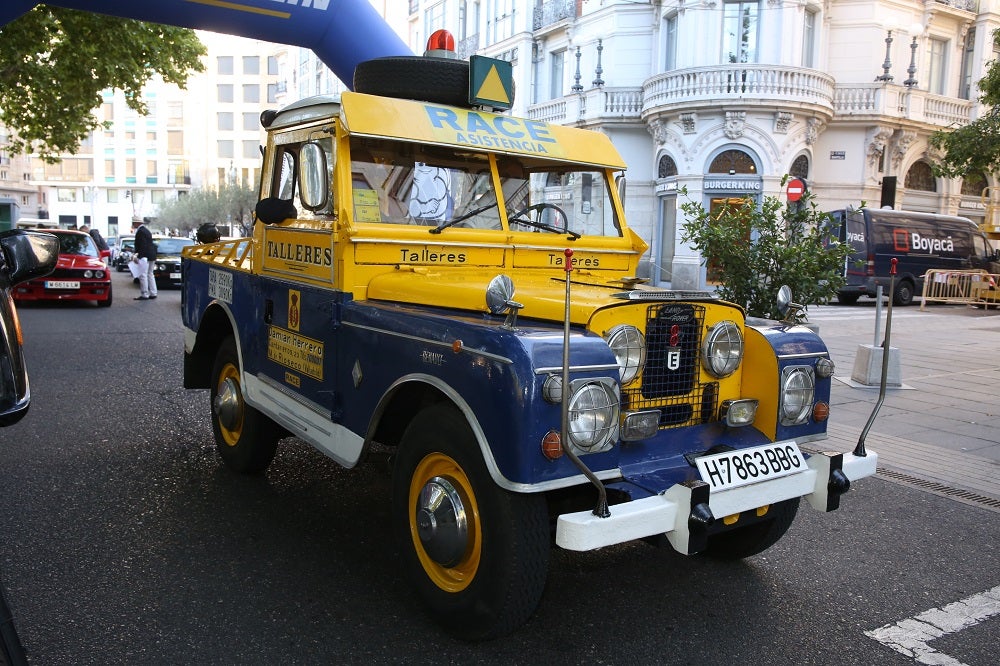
column 342, row 33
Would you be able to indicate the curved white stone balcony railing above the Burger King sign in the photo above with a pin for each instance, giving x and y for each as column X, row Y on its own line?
column 749, row 84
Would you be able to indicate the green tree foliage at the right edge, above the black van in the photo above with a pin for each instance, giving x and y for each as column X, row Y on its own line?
column 974, row 148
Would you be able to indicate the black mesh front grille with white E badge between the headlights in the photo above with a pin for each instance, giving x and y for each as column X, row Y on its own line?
column 673, row 359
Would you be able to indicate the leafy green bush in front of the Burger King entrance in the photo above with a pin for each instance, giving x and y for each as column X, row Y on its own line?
column 755, row 248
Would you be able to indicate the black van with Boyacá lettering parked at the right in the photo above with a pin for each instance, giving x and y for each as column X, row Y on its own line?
column 920, row 241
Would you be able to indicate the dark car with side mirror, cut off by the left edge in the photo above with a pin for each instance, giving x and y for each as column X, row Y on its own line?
column 23, row 255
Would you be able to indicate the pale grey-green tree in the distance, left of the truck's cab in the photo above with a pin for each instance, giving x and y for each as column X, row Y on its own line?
column 229, row 205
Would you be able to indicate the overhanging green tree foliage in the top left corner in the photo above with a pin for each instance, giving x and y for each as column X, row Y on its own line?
column 55, row 62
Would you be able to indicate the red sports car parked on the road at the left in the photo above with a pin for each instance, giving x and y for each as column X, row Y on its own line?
column 80, row 274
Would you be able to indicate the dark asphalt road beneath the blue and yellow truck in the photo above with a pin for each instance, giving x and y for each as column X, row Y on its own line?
column 125, row 542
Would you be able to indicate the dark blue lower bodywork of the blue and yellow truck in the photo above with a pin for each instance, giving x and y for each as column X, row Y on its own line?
column 494, row 374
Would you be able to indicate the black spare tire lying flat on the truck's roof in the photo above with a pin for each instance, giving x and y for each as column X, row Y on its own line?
column 437, row 80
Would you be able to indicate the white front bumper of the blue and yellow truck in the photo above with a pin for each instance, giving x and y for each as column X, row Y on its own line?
column 668, row 512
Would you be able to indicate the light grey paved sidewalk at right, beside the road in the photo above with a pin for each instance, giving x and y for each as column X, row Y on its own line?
column 941, row 428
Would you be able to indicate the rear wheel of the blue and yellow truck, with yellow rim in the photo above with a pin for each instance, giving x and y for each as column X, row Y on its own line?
column 246, row 439
